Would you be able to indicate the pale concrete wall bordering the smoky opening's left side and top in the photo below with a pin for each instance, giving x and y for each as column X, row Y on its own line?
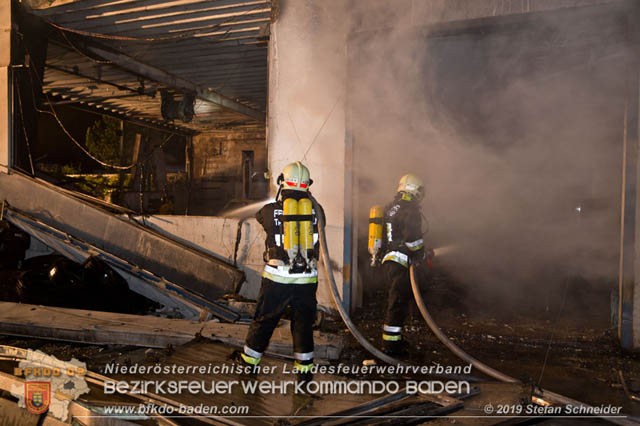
column 308, row 80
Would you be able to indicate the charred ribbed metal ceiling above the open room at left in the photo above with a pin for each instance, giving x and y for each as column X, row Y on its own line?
column 120, row 57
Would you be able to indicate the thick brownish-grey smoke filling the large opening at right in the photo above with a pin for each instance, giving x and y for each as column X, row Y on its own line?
column 517, row 134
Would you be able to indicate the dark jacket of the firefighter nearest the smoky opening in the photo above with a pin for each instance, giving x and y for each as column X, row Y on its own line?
column 402, row 232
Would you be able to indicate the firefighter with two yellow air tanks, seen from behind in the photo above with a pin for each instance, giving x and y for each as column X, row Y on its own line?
column 290, row 277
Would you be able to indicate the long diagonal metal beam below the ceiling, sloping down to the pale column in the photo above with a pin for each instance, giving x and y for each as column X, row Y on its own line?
column 164, row 77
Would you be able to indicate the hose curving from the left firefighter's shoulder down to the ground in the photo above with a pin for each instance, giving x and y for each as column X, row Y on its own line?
column 336, row 298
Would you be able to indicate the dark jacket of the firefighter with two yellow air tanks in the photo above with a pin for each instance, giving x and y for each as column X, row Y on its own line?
column 276, row 258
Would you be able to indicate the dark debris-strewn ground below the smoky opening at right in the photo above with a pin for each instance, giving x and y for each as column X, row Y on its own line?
column 562, row 343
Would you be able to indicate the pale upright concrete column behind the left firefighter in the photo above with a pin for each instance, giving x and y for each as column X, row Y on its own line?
column 307, row 76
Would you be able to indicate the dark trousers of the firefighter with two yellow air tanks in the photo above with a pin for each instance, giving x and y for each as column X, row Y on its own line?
column 273, row 299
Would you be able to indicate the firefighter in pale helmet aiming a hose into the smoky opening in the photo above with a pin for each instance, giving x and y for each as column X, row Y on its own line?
column 403, row 245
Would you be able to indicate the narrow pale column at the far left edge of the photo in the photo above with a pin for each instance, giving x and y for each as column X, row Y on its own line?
column 6, row 101
